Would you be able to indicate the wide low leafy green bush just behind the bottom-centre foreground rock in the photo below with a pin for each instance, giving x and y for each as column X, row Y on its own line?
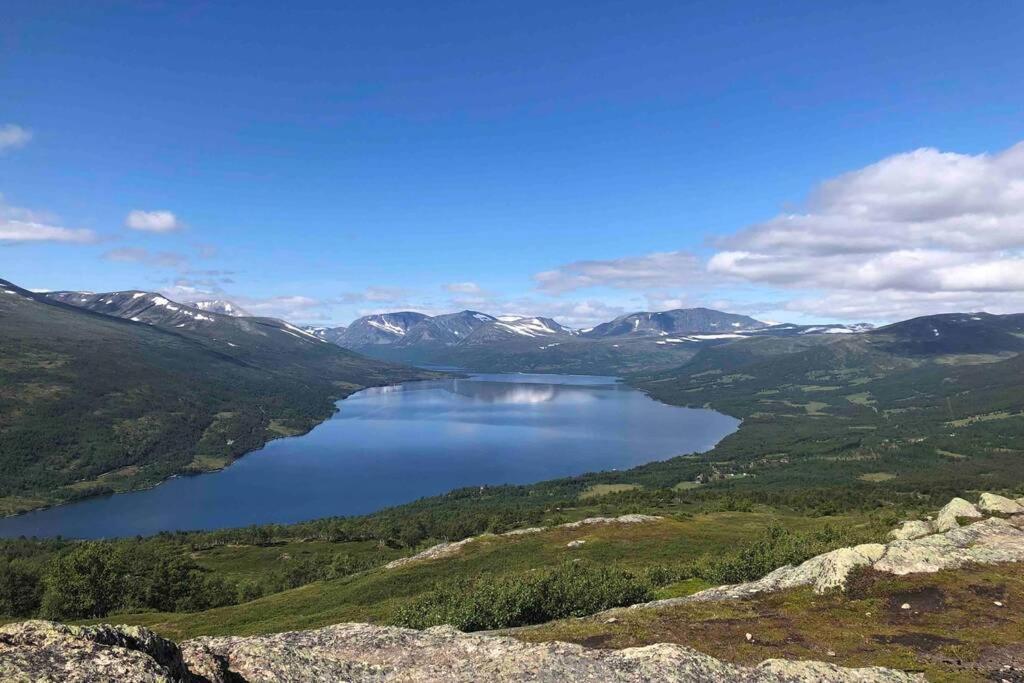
column 573, row 589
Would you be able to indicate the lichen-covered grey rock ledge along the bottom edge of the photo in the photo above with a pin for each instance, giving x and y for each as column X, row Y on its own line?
column 363, row 654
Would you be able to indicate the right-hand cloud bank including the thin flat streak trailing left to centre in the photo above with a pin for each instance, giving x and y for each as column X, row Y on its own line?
column 922, row 232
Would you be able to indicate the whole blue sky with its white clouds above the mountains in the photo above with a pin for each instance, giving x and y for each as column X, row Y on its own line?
column 798, row 161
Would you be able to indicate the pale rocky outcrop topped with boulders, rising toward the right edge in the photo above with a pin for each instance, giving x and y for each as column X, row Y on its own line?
column 988, row 542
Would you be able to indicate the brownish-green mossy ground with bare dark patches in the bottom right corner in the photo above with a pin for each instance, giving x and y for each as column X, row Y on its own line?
column 954, row 630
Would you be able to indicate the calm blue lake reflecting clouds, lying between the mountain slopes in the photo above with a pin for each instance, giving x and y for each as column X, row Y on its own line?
column 396, row 445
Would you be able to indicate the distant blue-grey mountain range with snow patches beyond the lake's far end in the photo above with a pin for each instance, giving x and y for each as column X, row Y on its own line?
column 479, row 341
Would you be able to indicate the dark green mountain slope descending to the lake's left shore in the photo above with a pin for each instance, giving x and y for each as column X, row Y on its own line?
column 92, row 404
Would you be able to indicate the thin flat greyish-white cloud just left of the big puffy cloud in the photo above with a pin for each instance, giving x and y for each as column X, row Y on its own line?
column 639, row 273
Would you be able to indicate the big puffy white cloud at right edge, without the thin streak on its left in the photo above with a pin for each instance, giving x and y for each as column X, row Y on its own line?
column 923, row 222
